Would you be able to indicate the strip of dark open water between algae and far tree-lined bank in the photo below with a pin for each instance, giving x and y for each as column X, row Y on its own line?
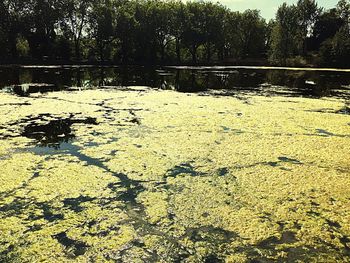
column 24, row 81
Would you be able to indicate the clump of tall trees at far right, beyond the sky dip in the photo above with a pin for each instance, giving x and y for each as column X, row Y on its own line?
column 304, row 28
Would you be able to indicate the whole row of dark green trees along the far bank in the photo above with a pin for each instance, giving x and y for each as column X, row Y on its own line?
column 153, row 31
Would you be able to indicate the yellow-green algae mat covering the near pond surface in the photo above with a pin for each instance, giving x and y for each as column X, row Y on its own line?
column 159, row 176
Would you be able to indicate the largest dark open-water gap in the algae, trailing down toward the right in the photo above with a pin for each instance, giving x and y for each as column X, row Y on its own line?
column 56, row 137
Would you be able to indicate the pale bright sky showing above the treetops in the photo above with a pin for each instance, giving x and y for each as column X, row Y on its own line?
column 268, row 8
